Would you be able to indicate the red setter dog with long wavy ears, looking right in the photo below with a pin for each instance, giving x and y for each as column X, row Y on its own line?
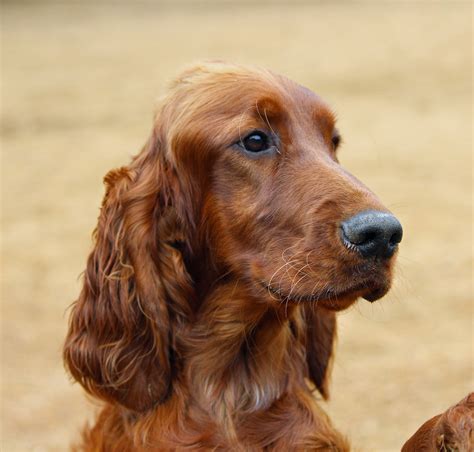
column 222, row 252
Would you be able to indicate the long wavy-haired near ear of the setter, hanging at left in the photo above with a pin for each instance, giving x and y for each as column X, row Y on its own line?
column 121, row 341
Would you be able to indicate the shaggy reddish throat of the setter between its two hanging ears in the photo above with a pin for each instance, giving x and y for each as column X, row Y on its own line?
column 243, row 353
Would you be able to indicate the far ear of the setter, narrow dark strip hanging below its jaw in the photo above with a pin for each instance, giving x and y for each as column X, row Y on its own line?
column 320, row 337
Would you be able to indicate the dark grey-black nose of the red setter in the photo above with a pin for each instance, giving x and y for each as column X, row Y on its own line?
column 372, row 233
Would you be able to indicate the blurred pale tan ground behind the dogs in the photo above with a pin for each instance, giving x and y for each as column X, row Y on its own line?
column 79, row 84
